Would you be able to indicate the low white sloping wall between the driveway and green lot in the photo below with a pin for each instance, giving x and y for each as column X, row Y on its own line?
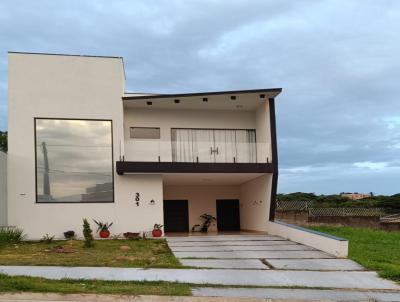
column 327, row 243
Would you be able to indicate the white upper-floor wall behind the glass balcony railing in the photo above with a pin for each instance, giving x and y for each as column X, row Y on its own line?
column 166, row 119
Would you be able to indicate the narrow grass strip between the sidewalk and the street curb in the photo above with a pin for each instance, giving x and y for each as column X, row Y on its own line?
column 66, row 286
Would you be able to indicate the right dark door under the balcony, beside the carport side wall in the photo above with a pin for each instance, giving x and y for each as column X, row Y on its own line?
column 228, row 217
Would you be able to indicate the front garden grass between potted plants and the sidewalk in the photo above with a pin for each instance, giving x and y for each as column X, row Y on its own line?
column 141, row 253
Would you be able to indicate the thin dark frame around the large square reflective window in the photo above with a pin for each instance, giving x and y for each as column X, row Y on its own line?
column 112, row 159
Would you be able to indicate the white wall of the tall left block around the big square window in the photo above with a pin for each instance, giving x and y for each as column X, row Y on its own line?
column 69, row 87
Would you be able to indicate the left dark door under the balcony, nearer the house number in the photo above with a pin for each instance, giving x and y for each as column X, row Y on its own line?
column 176, row 216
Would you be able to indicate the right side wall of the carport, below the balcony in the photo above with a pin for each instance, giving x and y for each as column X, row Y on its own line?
column 255, row 198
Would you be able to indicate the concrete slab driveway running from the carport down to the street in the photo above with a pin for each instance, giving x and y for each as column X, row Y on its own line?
column 263, row 259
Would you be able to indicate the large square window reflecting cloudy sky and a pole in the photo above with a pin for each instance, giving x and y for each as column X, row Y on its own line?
column 74, row 160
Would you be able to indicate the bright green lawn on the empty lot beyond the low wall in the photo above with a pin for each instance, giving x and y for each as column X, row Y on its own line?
column 376, row 250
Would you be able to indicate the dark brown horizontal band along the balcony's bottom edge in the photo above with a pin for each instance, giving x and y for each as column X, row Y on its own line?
column 174, row 167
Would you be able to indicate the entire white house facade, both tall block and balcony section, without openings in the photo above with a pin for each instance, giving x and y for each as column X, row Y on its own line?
column 84, row 87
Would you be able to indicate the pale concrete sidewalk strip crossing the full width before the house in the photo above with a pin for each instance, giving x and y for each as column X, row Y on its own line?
column 354, row 279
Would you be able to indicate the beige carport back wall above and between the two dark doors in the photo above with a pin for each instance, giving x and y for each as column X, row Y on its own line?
column 201, row 199
